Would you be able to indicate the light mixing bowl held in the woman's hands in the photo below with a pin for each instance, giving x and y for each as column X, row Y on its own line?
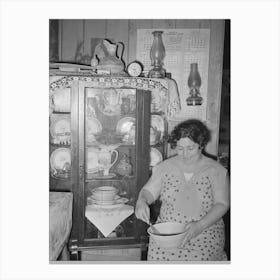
column 167, row 234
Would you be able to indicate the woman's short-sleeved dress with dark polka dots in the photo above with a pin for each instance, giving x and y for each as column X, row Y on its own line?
column 188, row 197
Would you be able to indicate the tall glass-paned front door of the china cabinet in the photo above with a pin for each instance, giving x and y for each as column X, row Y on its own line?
column 113, row 152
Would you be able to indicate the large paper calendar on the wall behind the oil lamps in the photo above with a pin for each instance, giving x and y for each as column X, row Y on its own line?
column 183, row 47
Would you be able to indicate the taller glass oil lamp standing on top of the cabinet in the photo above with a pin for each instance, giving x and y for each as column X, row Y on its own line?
column 157, row 55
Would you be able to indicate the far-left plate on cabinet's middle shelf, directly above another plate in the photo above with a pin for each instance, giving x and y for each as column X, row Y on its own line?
column 60, row 128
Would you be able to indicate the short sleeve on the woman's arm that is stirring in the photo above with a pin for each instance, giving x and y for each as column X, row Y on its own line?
column 154, row 185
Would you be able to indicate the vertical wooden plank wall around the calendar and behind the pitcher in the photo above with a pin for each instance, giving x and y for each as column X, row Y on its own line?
column 72, row 32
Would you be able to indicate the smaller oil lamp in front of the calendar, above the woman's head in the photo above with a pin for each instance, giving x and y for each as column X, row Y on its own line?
column 194, row 83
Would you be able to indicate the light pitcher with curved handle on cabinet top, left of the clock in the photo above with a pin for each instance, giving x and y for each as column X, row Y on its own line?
column 106, row 53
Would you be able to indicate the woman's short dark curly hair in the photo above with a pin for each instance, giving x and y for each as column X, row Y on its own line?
column 193, row 129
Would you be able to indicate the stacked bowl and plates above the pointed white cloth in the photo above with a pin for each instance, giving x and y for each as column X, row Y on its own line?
column 106, row 197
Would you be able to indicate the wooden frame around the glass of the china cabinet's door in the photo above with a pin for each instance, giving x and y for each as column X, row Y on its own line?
column 143, row 99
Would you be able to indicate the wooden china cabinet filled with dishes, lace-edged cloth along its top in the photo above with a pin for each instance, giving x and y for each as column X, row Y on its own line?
column 106, row 131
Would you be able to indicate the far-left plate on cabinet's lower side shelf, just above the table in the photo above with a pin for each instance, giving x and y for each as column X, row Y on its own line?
column 60, row 160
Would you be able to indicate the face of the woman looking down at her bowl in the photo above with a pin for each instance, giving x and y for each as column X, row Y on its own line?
column 188, row 149
